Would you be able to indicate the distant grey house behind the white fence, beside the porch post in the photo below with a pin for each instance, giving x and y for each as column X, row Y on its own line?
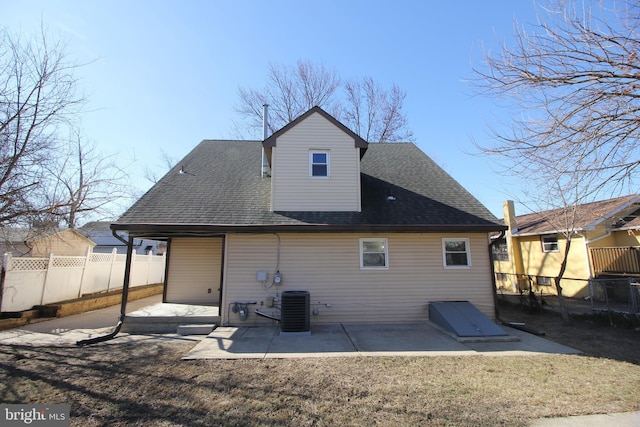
column 106, row 242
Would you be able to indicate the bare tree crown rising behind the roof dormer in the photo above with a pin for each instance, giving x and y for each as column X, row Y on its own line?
column 376, row 115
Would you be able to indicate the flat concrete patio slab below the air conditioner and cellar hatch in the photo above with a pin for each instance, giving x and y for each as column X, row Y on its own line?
column 349, row 340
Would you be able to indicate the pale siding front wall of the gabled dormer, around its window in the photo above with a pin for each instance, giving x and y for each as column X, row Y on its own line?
column 293, row 189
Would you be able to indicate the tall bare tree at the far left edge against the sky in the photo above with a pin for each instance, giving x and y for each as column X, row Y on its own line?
column 37, row 96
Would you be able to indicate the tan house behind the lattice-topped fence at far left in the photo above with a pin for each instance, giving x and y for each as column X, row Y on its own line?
column 41, row 243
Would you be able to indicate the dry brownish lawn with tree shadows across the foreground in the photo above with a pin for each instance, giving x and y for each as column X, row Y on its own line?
column 115, row 384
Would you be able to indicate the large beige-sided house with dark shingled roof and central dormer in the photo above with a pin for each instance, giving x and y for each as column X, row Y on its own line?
column 374, row 232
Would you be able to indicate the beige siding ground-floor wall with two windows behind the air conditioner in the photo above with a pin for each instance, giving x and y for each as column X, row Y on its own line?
column 328, row 266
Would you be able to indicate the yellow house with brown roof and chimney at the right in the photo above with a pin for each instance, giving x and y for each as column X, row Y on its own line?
column 606, row 243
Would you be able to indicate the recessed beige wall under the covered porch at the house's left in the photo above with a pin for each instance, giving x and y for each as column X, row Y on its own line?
column 195, row 265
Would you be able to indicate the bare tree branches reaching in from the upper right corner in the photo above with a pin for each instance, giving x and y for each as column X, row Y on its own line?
column 573, row 82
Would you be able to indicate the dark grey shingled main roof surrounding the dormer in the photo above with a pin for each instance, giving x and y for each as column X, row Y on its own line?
column 218, row 187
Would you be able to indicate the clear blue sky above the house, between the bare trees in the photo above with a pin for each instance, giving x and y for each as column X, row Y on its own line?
column 164, row 75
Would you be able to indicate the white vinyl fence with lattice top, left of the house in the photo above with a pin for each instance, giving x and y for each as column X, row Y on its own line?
column 27, row 282
